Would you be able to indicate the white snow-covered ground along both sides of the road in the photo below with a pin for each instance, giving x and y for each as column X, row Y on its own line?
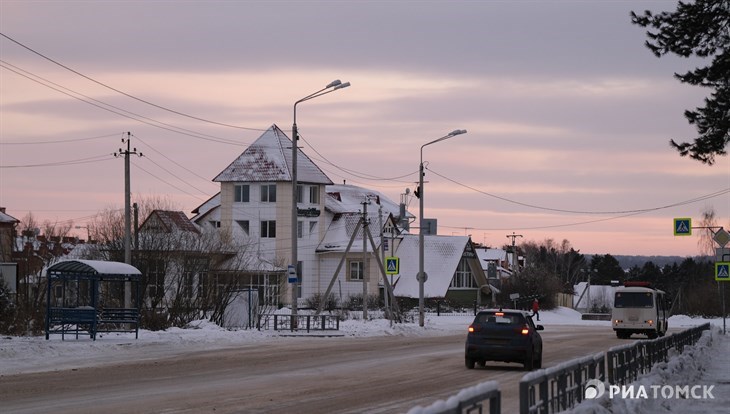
column 707, row 363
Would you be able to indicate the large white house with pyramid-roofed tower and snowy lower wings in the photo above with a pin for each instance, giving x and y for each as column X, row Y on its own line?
column 254, row 207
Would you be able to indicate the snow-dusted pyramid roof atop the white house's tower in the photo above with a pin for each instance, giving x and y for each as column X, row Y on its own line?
column 268, row 159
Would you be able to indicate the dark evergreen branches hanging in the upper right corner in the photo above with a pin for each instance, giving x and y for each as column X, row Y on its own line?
column 698, row 29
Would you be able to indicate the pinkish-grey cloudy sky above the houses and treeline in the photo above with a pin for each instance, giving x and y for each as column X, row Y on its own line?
column 568, row 114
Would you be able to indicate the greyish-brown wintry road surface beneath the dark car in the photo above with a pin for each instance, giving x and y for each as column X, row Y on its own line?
column 388, row 374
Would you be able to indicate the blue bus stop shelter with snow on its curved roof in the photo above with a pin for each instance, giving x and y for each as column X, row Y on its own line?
column 92, row 296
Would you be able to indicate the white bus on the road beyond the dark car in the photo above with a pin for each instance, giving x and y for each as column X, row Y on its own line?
column 638, row 308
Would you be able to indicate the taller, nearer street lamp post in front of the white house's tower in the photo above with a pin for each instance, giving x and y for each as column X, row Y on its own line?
column 331, row 87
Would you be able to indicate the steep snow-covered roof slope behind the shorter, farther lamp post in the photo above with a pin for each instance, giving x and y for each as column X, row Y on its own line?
column 441, row 258
